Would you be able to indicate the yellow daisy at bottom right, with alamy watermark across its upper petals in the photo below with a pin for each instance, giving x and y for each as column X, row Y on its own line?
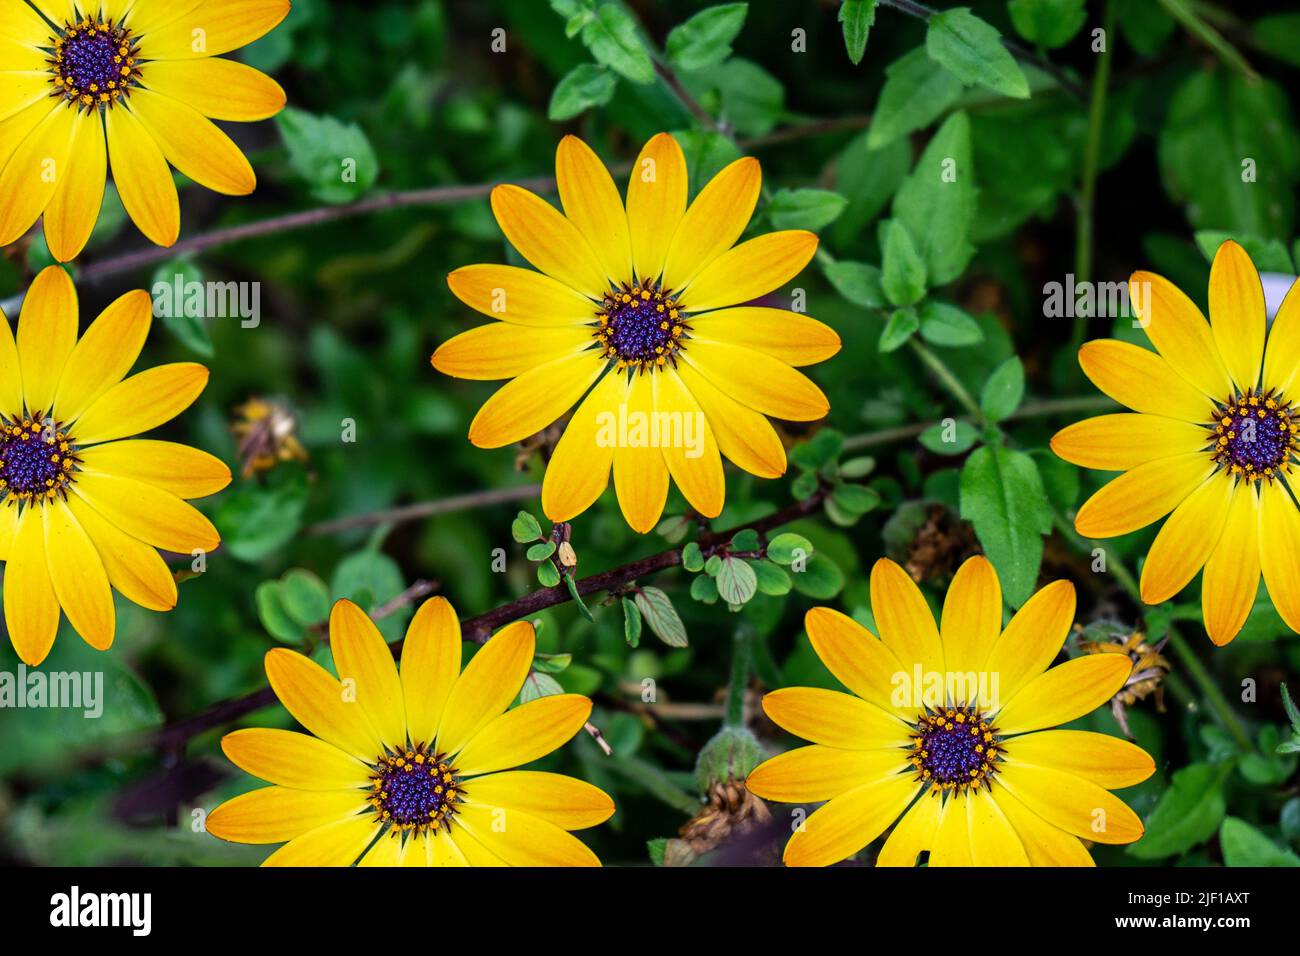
column 946, row 734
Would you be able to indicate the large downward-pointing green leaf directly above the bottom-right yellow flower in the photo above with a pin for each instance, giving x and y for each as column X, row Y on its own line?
column 1003, row 498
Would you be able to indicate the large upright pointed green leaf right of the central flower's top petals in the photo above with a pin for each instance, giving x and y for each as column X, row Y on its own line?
column 938, row 202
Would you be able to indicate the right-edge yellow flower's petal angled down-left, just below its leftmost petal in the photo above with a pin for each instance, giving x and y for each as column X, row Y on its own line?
column 1142, row 496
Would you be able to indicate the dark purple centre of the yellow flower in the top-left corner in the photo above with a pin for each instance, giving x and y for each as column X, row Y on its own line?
column 94, row 63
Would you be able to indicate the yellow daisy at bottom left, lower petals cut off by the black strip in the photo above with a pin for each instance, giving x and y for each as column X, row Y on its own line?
column 413, row 768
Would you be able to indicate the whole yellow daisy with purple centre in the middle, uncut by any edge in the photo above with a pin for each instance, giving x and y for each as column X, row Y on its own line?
column 638, row 305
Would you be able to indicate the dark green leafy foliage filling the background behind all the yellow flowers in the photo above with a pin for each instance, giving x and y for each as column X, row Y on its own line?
column 937, row 292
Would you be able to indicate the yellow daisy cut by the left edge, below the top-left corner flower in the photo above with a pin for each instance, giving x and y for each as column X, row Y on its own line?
column 83, row 511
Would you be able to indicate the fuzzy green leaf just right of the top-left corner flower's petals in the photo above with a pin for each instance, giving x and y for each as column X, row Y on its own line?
column 335, row 159
